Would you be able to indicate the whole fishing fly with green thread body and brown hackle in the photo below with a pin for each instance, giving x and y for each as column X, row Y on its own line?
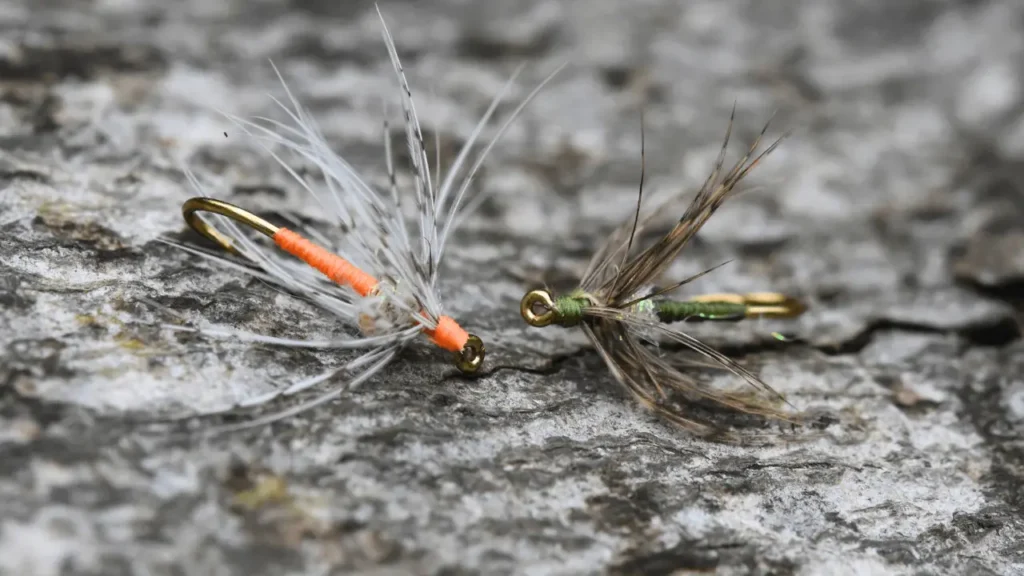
column 619, row 311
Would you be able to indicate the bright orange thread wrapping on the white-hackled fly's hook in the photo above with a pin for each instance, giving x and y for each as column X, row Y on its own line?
column 448, row 336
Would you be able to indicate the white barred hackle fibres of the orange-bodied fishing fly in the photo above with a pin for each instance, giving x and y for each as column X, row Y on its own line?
column 377, row 239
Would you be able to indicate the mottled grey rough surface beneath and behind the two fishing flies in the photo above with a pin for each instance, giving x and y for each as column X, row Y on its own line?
column 897, row 210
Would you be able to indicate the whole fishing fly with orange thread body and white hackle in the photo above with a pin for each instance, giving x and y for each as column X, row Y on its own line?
column 381, row 278
